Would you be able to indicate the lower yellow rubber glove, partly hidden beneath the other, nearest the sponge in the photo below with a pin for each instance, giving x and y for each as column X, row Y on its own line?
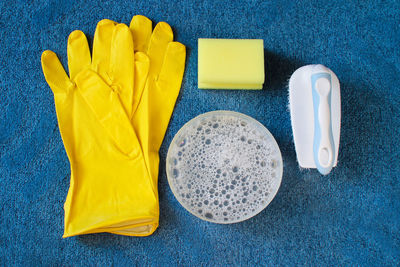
column 167, row 64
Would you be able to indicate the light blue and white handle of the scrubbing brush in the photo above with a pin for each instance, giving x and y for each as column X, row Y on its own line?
column 323, row 147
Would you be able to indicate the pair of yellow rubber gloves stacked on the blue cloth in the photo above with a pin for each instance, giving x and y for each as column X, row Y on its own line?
column 113, row 111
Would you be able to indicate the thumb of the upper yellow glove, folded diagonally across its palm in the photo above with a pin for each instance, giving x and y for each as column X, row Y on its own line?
column 106, row 106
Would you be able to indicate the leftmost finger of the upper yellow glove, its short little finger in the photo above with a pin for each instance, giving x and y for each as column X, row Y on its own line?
column 54, row 73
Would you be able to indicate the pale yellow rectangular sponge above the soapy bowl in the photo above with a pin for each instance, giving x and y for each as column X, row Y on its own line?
column 231, row 63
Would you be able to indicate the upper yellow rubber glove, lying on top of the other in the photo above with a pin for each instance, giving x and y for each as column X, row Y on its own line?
column 110, row 188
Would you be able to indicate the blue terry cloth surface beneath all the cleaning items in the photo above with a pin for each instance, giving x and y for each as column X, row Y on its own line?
column 350, row 217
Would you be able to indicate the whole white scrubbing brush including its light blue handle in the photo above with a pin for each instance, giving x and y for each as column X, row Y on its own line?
column 315, row 111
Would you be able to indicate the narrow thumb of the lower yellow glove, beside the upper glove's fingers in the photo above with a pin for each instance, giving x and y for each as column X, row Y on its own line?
column 142, row 64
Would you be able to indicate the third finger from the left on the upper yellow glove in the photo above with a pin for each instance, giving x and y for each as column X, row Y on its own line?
column 102, row 47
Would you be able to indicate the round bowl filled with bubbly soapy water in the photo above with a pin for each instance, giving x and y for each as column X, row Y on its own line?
column 224, row 167
